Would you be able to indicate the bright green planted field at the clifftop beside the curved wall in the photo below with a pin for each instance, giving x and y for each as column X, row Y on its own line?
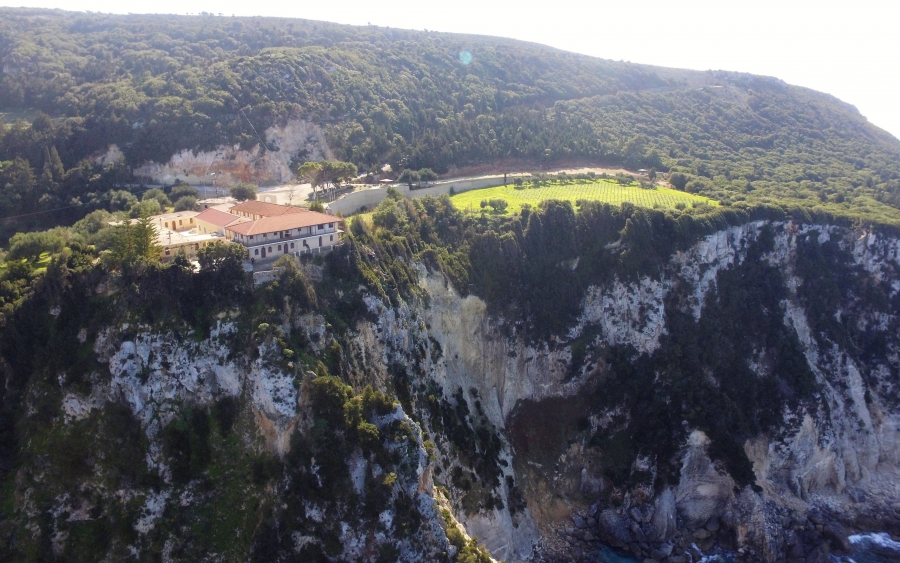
column 608, row 192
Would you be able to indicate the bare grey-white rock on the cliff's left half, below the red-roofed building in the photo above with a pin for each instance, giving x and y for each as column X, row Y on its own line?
column 156, row 374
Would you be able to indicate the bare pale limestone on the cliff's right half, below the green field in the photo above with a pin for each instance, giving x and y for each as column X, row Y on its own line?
column 835, row 457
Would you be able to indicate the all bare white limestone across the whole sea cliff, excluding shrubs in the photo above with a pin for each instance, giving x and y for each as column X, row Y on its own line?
column 843, row 456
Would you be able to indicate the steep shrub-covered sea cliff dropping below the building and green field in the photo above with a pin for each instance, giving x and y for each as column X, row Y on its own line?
column 545, row 450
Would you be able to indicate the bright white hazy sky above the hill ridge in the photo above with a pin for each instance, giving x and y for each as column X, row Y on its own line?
column 850, row 49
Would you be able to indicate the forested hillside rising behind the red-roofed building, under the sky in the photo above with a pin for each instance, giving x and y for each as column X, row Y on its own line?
column 154, row 85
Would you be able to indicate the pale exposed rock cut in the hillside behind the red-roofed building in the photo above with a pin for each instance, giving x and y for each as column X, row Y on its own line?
column 231, row 164
